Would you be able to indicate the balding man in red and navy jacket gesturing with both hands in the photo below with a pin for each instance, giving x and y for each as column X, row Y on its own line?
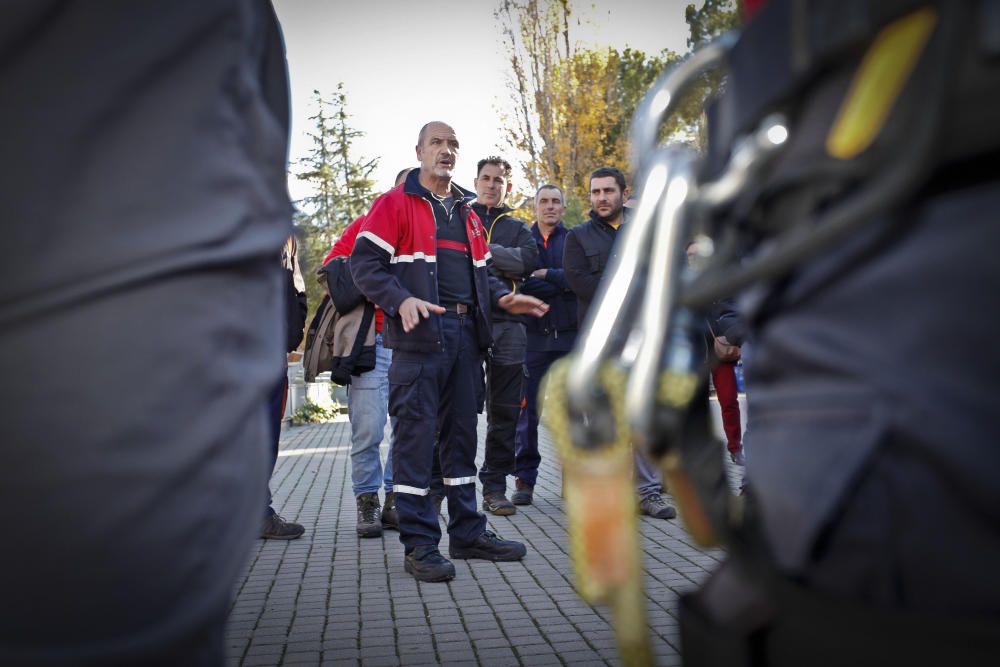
column 422, row 257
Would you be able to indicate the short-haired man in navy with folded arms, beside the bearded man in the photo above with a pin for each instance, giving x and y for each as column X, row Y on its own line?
column 549, row 338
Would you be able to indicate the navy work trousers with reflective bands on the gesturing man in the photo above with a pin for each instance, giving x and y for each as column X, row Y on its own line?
column 437, row 394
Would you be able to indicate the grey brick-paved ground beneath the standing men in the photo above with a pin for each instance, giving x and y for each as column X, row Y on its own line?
column 331, row 598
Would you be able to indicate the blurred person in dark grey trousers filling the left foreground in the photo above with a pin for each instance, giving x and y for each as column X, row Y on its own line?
column 146, row 162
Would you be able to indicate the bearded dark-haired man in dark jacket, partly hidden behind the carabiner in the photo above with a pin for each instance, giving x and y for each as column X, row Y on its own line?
column 589, row 249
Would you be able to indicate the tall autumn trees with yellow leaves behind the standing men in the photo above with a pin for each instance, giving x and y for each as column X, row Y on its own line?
column 573, row 105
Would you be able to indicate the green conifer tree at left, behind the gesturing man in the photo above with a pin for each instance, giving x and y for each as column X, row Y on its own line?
column 341, row 184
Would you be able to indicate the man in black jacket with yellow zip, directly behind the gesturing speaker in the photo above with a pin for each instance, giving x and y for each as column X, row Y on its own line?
column 514, row 255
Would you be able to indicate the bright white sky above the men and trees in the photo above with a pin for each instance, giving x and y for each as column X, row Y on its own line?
column 404, row 63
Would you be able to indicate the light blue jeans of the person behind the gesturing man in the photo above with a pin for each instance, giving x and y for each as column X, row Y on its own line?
column 367, row 408
